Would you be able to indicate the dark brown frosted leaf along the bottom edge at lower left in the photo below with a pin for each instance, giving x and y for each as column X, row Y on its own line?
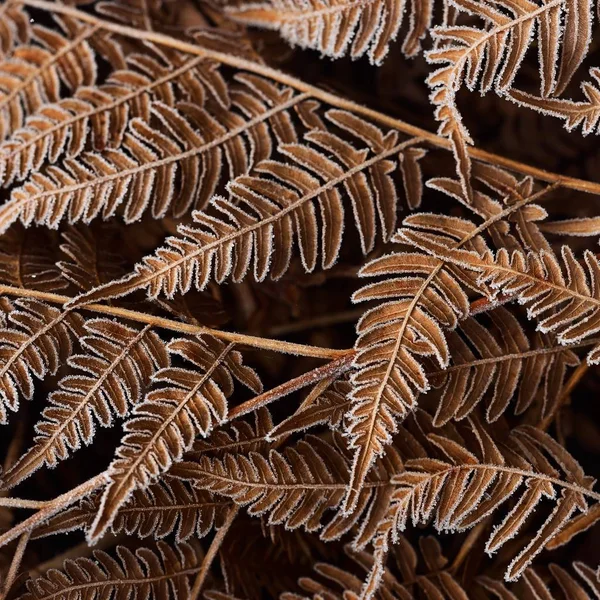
column 161, row 574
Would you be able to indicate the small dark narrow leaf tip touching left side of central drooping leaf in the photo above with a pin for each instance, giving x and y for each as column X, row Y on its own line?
column 330, row 408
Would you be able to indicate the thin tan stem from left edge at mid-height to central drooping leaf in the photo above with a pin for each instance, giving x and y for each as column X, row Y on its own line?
column 161, row 322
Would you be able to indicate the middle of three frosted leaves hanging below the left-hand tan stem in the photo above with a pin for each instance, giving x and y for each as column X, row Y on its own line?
column 110, row 377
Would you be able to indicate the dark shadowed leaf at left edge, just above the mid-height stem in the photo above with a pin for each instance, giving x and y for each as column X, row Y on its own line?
column 28, row 260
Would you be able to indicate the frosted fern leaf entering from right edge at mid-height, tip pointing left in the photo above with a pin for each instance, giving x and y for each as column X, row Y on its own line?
column 563, row 298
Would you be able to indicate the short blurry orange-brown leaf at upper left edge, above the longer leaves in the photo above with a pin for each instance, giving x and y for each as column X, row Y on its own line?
column 32, row 74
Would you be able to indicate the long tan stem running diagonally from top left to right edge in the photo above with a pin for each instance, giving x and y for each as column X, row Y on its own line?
column 327, row 97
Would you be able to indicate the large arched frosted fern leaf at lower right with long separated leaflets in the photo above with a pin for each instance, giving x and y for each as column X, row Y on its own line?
column 463, row 488
